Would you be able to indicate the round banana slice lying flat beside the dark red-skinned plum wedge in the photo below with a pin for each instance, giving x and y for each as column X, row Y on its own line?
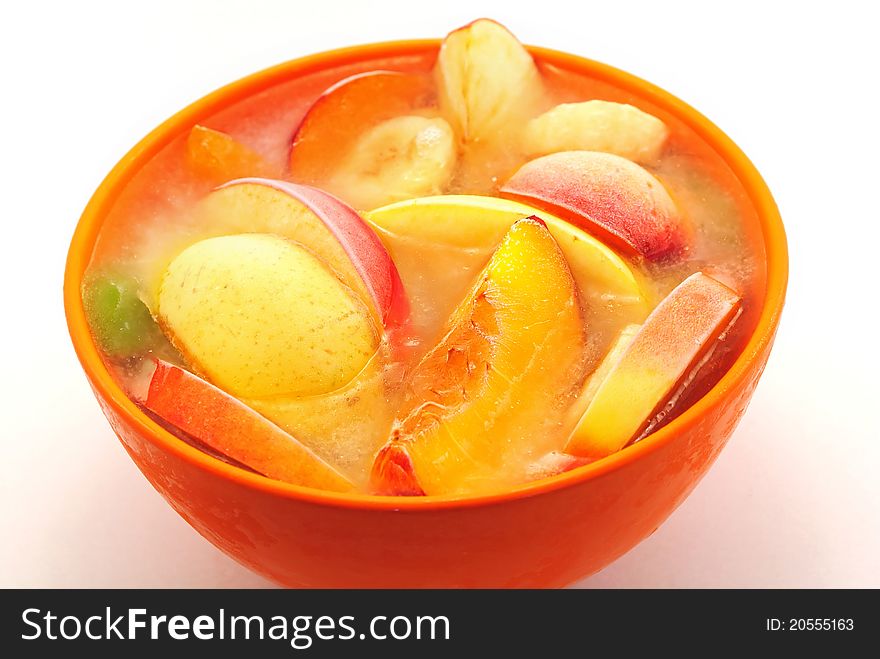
column 401, row 158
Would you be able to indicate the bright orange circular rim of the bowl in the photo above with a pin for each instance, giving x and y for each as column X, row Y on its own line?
column 85, row 234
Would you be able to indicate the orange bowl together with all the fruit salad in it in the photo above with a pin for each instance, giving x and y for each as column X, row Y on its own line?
column 429, row 277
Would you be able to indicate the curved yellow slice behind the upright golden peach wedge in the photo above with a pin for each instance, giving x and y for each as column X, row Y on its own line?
column 469, row 228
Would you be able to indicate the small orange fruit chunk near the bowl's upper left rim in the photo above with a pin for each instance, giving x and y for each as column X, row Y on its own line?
column 219, row 157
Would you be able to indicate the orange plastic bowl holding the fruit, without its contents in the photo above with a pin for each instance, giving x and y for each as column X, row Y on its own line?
column 548, row 533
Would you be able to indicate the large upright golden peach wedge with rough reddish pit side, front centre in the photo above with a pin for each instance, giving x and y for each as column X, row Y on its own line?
column 483, row 402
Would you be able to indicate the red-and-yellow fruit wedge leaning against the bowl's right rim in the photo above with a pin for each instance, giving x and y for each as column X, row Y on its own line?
column 656, row 366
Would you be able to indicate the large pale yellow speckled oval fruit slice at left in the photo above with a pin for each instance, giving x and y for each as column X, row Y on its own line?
column 265, row 320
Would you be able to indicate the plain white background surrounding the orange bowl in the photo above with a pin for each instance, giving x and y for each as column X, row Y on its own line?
column 794, row 500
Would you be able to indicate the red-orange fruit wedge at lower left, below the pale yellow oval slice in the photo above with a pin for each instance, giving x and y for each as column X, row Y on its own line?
column 230, row 427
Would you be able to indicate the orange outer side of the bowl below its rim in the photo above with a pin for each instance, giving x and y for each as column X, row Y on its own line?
column 544, row 540
